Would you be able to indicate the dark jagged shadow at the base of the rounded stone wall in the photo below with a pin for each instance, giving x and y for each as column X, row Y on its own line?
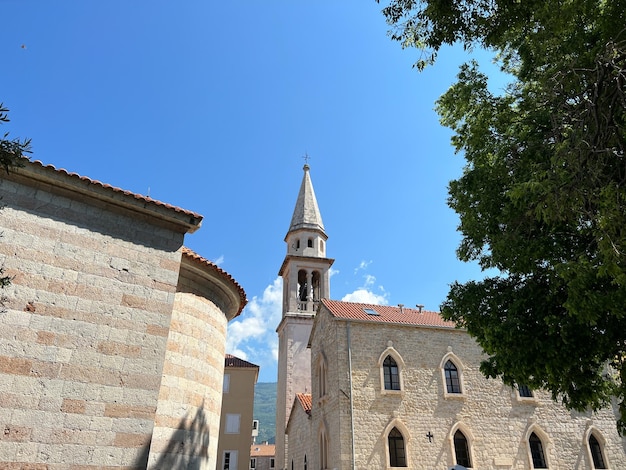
column 186, row 450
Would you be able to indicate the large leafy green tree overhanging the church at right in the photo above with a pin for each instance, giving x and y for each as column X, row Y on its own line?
column 542, row 198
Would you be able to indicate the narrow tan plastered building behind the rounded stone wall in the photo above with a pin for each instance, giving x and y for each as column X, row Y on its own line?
column 236, row 422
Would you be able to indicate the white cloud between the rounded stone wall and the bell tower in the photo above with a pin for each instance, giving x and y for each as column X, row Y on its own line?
column 252, row 335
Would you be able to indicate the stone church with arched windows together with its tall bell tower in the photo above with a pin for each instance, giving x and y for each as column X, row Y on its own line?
column 372, row 387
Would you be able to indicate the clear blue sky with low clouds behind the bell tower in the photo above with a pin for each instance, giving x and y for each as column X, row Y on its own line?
column 211, row 106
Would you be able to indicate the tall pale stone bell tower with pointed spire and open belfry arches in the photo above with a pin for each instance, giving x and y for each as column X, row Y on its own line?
column 306, row 280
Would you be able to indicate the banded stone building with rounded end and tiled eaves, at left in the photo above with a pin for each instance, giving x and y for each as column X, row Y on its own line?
column 112, row 340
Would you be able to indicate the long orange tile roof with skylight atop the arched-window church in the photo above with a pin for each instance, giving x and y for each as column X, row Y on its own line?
column 386, row 314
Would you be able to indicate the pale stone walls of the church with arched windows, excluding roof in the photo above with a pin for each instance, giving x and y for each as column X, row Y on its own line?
column 495, row 421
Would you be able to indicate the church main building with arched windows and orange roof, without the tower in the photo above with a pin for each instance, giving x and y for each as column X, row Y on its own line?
column 401, row 388
